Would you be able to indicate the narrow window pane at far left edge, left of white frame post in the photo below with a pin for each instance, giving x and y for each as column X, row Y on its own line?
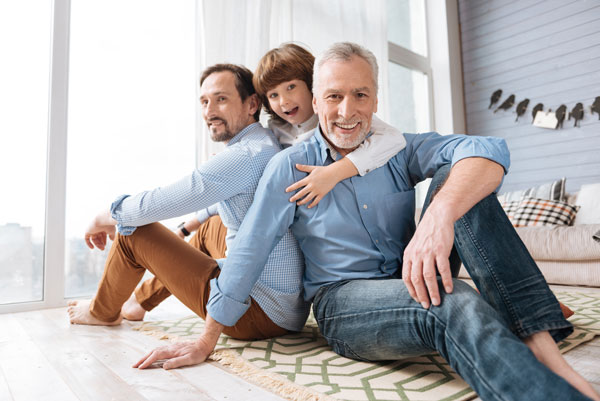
column 24, row 73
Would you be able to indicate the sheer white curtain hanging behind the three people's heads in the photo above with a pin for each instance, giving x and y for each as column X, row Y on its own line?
column 242, row 31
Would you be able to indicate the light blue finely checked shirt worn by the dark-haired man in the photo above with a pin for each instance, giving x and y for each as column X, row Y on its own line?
column 230, row 179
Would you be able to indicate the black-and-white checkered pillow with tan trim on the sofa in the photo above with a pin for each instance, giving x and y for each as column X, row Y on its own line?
column 542, row 212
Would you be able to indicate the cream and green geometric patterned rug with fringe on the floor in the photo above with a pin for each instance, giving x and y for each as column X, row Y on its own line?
column 303, row 367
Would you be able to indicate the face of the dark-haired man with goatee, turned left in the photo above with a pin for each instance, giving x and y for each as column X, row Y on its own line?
column 222, row 107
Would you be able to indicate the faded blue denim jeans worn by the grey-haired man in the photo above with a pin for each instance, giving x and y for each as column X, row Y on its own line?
column 479, row 335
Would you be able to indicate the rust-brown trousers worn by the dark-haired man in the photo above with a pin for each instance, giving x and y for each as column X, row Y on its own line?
column 182, row 269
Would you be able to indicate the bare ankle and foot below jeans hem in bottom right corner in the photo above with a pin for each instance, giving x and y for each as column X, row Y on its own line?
column 544, row 348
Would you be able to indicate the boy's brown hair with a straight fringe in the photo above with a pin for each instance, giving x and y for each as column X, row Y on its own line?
column 281, row 64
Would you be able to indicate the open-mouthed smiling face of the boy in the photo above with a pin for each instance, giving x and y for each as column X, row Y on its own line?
column 291, row 100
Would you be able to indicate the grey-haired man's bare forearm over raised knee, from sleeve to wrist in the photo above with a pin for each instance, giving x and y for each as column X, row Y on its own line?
column 470, row 180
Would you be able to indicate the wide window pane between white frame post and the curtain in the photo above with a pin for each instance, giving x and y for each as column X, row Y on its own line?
column 132, row 94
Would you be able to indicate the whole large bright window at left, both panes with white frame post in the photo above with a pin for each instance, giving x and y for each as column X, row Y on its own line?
column 98, row 99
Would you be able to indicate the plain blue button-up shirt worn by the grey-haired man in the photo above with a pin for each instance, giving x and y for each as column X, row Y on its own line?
column 359, row 230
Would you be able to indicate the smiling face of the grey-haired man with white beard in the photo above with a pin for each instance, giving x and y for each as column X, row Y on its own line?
column 345, row 100
